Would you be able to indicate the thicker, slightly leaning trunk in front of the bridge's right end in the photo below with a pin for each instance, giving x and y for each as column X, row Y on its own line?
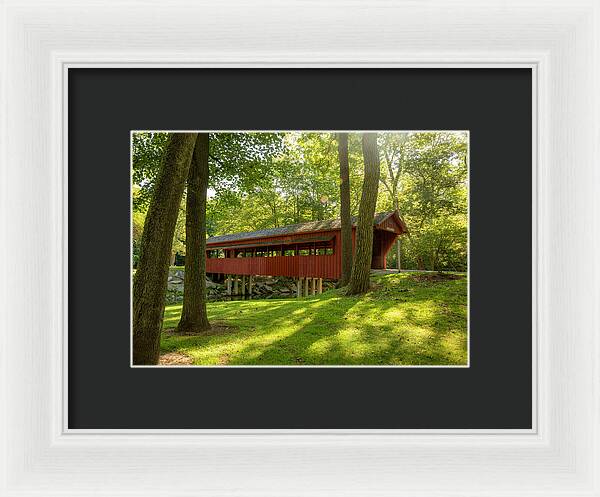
column 361, row 271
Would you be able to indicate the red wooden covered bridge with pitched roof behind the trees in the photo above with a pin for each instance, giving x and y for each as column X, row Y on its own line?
column 305, row 250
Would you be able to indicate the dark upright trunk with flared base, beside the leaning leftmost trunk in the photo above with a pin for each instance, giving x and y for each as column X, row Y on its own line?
column 193, row 315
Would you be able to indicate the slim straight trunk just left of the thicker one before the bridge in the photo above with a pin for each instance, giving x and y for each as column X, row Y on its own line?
column 346, row 219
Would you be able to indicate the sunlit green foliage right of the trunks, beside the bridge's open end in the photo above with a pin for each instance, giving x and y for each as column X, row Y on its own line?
column 432, row 197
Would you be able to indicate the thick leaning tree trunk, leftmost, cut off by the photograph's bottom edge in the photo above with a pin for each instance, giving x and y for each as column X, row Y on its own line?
column 150, row 281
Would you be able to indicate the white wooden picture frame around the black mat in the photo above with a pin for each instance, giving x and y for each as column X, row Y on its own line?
column 559, row 40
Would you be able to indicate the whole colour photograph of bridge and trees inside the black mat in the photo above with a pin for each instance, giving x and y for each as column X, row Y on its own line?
column 335, row 248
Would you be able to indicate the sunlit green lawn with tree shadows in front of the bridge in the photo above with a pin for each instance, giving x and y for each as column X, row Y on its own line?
column 404, row 320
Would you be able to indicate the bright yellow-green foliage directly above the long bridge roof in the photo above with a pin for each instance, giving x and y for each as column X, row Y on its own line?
column 302, row 185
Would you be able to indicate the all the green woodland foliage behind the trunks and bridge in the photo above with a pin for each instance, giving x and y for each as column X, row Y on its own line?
column 265, row 180
